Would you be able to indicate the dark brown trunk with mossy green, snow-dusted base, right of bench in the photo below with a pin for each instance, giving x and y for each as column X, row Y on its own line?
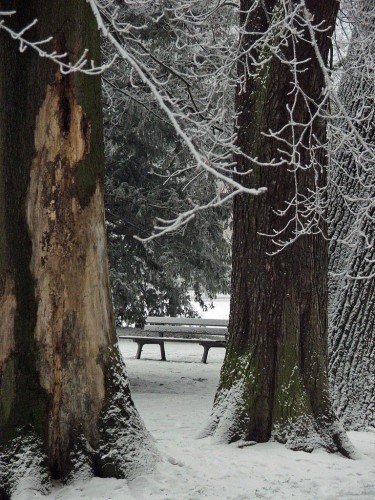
column 274, row 381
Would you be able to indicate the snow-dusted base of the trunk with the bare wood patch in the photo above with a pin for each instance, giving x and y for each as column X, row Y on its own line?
column 126, row 449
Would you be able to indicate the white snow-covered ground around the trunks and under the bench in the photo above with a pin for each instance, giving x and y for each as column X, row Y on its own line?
column 175, row 399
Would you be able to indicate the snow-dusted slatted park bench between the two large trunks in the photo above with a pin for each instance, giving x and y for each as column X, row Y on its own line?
column 205, row 332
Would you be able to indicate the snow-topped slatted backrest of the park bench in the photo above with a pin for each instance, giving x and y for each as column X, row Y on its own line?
column 187, row 325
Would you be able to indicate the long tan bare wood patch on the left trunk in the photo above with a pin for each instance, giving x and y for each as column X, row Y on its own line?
column 74, row 318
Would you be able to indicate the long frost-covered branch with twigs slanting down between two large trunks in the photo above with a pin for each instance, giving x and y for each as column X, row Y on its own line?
column 197, row 119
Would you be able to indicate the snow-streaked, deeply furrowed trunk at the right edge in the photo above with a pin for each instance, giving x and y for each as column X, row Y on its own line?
column 352, row 232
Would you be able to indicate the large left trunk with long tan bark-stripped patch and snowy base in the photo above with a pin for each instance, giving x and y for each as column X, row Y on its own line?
column 65, row 405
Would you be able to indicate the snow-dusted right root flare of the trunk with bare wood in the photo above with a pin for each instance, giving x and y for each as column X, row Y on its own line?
column 127, row 449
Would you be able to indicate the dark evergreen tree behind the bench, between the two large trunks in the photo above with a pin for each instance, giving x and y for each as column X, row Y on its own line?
column 150, row 175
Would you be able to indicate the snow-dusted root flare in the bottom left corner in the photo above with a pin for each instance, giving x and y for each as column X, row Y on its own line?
column 23, row 465
